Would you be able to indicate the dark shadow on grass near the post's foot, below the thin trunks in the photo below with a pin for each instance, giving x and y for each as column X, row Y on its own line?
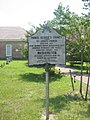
column 58, row 103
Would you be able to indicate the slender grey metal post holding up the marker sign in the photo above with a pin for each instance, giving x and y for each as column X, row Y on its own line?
column 47, row 91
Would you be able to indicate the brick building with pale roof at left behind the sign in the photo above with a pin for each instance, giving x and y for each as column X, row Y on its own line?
column 12, row 41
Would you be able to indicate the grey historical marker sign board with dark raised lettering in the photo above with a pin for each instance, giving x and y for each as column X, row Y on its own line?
column 46, row 46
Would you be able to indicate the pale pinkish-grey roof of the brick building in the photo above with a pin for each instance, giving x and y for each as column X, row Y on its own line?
column 12, row 33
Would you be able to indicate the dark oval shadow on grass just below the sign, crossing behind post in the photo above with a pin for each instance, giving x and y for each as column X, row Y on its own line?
column 32, row 77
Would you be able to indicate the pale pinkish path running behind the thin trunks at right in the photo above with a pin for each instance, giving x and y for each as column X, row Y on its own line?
column 66, row 71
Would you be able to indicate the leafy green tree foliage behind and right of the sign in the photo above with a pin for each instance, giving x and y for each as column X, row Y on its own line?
column 76, row 29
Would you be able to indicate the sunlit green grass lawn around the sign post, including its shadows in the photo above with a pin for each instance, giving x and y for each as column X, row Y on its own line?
column 22, row 95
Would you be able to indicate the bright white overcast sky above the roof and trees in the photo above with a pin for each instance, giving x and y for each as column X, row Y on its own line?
column 24, row 13
